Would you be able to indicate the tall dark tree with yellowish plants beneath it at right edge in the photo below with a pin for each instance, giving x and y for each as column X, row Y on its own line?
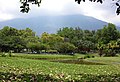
column 108, row 43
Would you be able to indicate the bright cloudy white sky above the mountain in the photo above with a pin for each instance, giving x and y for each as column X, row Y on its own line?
column 9, row 9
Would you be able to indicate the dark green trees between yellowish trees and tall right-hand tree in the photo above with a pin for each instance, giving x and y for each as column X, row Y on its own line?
column 84, row 40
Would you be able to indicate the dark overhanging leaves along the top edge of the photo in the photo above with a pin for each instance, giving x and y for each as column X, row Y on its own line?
column 25, row 4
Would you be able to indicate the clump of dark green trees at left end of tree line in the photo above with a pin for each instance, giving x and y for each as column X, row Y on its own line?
column 13, row 39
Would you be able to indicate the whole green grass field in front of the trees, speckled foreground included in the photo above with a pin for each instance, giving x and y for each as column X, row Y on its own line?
column 39, row 68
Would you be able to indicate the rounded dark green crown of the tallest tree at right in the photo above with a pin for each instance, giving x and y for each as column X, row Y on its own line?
column 107, row 34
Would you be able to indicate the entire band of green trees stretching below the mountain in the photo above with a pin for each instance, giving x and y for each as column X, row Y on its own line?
column 67, row 40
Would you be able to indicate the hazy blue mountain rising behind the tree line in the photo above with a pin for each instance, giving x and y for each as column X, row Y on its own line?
column 51, row 24
